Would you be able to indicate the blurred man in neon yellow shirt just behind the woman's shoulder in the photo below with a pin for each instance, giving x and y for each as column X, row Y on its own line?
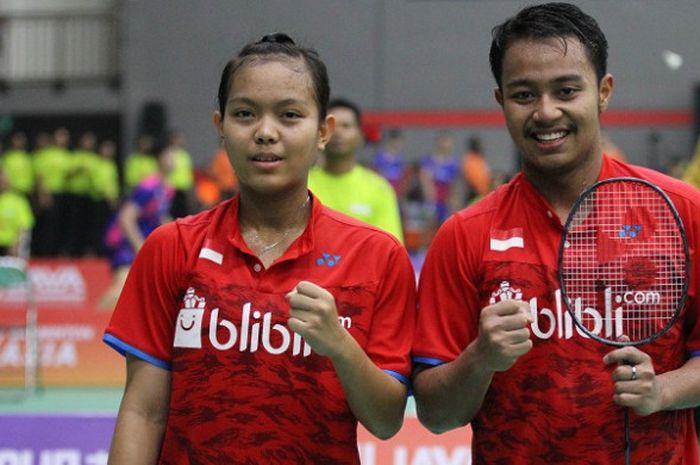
column 343, row 185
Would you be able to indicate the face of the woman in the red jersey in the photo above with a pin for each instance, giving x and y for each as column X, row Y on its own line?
column 271, row 127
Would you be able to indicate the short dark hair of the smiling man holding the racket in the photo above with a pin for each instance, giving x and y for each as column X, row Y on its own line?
column 546, row 21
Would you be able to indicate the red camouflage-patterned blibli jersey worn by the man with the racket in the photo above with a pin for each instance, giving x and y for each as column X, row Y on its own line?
column 555, row 405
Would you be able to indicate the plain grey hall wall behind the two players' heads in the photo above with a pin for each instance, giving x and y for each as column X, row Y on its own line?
column 393, row 55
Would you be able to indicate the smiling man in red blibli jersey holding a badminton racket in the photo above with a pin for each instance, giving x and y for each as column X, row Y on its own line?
column 489, row 348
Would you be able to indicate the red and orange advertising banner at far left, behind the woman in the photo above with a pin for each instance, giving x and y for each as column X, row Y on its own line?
column 66, row 294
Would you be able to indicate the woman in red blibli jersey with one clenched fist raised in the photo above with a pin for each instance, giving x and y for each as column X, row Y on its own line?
column 261, row 330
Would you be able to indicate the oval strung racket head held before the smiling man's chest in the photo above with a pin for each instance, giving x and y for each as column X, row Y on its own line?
column 624, row 262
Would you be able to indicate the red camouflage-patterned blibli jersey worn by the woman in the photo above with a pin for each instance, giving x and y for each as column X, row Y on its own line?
column 245, row 389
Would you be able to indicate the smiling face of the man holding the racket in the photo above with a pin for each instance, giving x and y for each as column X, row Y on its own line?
column 552, row 103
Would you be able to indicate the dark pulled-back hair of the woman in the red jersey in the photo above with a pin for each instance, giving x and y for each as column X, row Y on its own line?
column 273, row 47
